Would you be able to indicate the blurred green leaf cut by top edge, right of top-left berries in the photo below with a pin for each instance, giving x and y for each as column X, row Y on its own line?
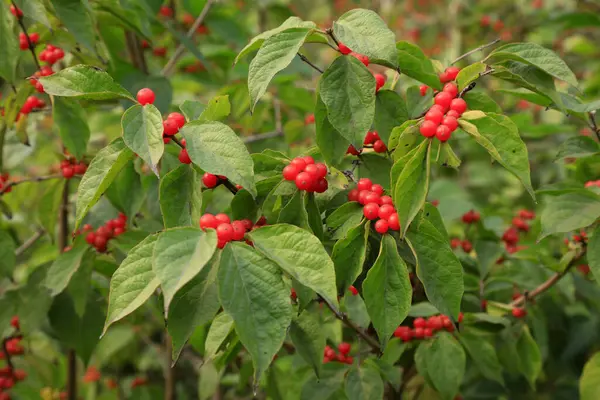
column 75, row 17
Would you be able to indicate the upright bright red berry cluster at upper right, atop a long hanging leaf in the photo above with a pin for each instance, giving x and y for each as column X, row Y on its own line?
column 442, row 118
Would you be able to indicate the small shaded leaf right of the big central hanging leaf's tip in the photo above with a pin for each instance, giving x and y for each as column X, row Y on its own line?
column 308, row 338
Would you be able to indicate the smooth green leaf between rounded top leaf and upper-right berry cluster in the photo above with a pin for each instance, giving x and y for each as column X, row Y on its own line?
column 414, row 63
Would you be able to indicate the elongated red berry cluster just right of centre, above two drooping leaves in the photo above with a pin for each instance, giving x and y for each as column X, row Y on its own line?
column 377, row 206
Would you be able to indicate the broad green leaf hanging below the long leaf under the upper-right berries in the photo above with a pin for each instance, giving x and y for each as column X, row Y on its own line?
column 438, row 268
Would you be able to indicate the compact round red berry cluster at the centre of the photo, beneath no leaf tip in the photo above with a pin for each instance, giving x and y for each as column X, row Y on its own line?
column 307, row 174
